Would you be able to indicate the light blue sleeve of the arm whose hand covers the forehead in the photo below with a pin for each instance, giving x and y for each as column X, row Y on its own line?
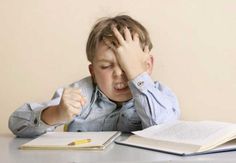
column 154, row 103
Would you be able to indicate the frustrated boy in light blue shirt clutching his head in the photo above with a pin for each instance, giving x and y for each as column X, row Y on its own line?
column 119, row 94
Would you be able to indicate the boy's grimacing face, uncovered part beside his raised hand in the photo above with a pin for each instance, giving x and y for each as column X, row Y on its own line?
column 109, row 76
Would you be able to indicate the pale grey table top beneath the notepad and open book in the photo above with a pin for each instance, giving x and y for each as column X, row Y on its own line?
column 9, row 153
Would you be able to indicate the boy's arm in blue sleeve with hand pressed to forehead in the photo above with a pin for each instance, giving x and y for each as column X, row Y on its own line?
column 154, row 103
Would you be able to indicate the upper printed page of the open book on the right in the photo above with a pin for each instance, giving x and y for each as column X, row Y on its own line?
column 188, row 132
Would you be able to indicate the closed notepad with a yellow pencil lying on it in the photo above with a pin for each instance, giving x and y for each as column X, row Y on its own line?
column 72, row 140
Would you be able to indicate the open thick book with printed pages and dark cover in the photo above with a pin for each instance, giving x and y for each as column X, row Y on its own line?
column 186, row 137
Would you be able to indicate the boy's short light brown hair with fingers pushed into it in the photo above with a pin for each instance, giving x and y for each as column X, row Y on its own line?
column 102, row 30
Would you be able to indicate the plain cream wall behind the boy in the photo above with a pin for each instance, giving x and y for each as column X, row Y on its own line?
column 42, row 47
